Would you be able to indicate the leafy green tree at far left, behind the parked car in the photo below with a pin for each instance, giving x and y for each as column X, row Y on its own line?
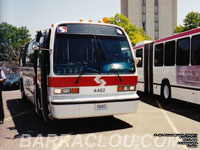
column 12, row 40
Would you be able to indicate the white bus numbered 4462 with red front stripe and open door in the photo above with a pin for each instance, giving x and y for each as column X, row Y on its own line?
column 77, row 70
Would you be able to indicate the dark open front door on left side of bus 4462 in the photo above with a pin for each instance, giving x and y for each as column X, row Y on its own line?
column 41, row 69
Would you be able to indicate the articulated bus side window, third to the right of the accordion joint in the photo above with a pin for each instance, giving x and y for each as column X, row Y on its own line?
column 183, row 52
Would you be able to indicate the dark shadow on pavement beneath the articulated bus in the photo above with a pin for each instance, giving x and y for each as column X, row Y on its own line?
column 189, row 110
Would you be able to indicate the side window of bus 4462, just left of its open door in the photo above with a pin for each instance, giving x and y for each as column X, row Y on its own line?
column 30, row 55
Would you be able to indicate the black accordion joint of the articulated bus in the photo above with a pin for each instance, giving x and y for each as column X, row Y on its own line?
column 148, row 68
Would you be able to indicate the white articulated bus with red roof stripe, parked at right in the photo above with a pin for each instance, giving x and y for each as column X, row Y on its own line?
column 170, row 66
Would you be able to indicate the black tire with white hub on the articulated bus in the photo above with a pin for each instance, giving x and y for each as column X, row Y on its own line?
column 165, row 91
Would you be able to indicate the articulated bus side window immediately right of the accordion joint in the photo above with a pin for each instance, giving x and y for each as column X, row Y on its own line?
column 158, row 56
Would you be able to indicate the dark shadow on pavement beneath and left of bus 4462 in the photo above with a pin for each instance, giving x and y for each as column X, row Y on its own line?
column 27, row 122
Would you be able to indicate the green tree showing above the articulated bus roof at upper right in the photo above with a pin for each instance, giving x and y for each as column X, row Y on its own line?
column 191, row 21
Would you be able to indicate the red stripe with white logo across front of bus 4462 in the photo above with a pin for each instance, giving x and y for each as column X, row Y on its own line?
column 91, row 81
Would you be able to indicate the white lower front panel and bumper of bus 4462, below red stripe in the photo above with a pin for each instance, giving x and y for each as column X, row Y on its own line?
column 83, row 104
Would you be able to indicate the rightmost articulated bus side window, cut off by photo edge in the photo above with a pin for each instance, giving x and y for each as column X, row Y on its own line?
column 195, row 53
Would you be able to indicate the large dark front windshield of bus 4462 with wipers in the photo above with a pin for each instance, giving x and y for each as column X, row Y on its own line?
column 92, row 54
